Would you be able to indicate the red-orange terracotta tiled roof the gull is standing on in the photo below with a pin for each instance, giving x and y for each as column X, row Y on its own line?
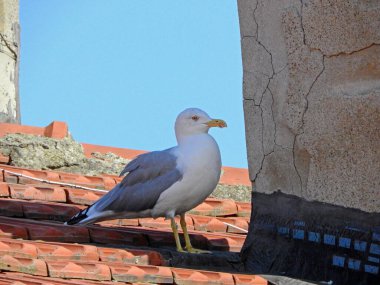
column 36, row 248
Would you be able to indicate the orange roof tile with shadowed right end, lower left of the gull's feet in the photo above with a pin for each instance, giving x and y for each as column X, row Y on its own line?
column 133, row 256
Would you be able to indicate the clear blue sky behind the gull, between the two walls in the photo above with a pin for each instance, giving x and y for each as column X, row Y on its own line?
column 119, row 71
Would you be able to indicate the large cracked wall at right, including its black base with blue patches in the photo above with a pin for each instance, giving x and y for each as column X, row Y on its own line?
column 311, row 91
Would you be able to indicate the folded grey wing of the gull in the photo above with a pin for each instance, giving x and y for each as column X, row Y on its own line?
column 148, row 175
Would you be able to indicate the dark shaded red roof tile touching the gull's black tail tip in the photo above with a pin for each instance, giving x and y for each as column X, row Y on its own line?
column 49, row 211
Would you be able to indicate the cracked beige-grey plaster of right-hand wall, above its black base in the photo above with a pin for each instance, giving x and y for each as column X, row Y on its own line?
column 311, row 86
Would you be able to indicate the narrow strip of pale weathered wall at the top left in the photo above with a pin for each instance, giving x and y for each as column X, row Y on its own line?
column 9, row 61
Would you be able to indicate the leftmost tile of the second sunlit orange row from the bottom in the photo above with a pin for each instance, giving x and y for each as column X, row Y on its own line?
column 17, row 248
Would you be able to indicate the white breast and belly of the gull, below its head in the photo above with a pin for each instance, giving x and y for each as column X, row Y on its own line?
column 199, row 161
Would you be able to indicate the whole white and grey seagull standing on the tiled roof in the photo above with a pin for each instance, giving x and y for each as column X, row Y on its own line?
column 165, row 183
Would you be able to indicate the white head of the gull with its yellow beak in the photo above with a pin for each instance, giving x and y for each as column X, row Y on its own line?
column 195, row 121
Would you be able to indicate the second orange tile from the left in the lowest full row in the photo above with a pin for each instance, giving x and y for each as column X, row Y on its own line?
column 81, row 270
